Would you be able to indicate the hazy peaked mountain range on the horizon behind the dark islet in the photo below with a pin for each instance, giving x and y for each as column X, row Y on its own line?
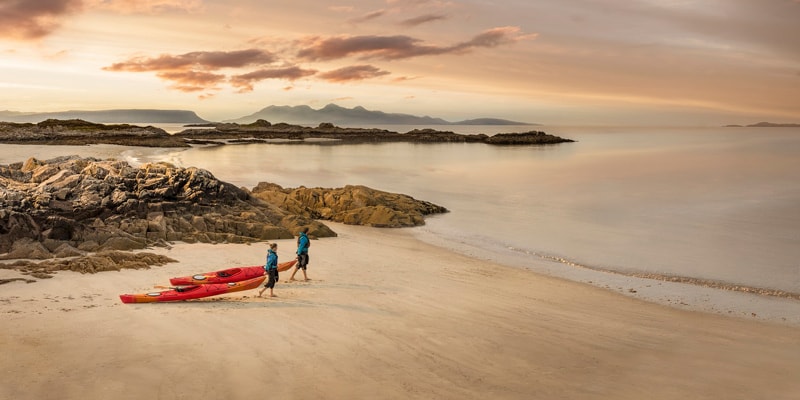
column 337, row 115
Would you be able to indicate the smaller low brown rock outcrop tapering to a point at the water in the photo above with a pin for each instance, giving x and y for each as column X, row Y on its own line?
column 353, row 205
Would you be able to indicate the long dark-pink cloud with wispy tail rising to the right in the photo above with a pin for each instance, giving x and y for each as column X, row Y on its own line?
column 400, row 46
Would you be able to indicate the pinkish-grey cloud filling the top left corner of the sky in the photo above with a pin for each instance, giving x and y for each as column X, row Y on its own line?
column 30, row 20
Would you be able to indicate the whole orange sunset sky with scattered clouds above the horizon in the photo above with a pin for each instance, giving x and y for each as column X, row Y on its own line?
column 565, row 62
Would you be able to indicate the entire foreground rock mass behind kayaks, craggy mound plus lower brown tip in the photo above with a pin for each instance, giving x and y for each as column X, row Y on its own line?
column 76, row 207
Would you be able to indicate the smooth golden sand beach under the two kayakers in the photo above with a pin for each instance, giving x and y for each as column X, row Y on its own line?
column 384, row 316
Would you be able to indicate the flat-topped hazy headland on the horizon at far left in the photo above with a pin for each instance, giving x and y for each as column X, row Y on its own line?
column 131, row 116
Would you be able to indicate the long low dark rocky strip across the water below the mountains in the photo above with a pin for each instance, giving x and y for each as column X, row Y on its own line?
column 80, row 132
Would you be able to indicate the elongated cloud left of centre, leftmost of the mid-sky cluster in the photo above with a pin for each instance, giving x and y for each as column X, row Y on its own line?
column 205, row 60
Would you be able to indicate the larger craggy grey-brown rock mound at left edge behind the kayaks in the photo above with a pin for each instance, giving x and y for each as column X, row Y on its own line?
column 69, row 206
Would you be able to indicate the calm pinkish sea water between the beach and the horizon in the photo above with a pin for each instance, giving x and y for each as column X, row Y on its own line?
column 714, row 208
